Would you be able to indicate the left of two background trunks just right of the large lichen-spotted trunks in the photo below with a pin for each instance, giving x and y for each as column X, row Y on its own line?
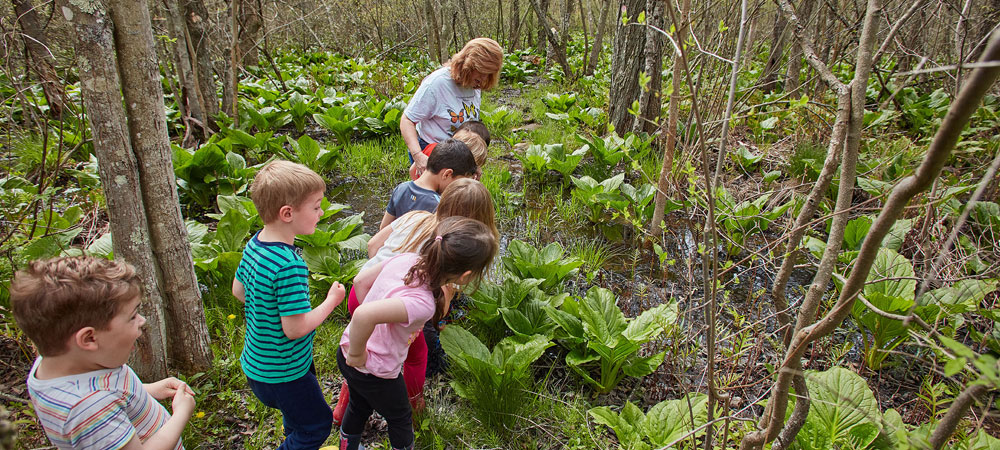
column 189, row 98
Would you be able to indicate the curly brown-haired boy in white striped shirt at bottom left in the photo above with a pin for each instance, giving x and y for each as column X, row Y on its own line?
column 83, row 316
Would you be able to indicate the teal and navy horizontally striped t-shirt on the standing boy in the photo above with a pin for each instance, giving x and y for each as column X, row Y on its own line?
column 276, row 281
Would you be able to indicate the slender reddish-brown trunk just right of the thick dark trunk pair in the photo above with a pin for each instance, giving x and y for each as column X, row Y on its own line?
column 670, row 126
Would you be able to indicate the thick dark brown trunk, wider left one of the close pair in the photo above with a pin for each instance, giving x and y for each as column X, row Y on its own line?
column 626, row 61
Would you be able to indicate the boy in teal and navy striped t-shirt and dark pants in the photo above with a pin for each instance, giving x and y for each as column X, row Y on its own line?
column 273, row 283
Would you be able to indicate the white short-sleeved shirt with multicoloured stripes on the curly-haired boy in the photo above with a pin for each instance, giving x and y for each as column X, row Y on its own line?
column 103, row 409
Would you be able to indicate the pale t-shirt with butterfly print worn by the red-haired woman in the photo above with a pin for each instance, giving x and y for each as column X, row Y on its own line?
column 440, row 106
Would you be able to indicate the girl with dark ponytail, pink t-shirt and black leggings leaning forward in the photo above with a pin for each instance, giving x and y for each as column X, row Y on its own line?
column 398, row 296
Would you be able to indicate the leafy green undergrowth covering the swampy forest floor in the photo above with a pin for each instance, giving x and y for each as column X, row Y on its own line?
column 586, row 320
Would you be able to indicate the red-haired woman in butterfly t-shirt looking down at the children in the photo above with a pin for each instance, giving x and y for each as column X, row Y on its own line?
column 449, row 97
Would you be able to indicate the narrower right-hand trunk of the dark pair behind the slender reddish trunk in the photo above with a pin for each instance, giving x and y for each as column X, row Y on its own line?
column 649, row 101
